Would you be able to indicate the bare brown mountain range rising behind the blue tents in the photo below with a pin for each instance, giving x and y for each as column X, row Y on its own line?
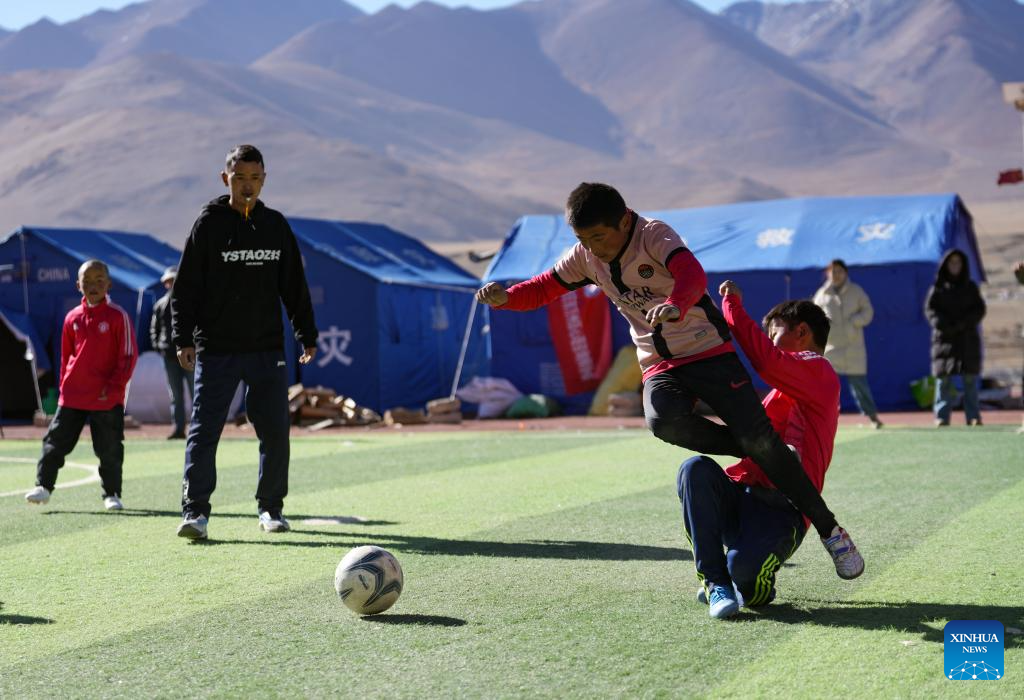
column 449, row 124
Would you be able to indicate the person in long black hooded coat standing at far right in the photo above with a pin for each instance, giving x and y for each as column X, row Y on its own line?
column 955, row 309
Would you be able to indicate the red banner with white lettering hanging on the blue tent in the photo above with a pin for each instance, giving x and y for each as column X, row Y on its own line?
column 581, row 329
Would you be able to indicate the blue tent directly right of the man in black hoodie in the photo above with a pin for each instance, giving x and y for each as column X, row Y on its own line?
column 391, row 312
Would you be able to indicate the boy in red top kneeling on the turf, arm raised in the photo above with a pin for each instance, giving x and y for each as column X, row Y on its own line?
column 742, row 530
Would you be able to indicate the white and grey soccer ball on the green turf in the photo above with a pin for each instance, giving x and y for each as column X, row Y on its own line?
column 369, row 580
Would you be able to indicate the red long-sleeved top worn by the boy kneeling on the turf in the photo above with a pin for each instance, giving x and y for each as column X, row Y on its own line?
column 803, row 407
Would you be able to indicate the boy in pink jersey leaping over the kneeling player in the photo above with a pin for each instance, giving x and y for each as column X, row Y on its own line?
column 684, row 345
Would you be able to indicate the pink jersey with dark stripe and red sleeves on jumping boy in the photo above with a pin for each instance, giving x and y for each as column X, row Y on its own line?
column 654, row 268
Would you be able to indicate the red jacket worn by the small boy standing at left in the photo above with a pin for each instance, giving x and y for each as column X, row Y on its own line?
column 98, row 357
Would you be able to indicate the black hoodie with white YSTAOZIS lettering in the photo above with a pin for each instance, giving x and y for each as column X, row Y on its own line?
column 232, row 280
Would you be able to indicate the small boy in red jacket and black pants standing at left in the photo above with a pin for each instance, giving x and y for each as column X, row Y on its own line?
column 98, row 357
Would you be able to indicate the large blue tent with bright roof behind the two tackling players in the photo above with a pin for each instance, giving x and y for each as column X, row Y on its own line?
column 774, row 250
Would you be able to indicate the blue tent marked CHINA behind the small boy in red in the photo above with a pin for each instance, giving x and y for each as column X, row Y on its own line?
column 39, row 269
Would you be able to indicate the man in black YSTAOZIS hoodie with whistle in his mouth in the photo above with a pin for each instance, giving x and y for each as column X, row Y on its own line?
column 241, row 261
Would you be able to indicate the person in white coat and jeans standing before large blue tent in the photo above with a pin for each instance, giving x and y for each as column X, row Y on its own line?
column 849, row 311
